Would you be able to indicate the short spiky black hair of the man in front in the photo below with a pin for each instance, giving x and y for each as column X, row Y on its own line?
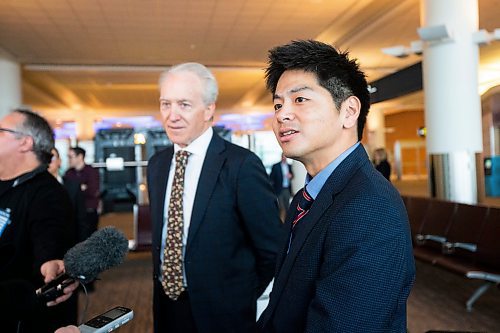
column 334, row 71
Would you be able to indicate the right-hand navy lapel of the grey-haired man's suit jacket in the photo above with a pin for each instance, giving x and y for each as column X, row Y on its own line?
column 212, row 165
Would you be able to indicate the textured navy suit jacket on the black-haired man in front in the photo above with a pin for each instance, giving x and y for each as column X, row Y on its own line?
column 350, row 267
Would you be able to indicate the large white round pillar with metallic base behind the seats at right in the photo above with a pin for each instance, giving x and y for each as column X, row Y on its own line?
column 452, row 101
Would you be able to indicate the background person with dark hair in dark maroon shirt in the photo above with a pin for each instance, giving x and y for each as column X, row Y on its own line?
column 88, row 178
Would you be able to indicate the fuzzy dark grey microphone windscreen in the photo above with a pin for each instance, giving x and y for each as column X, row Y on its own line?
column 104, row 249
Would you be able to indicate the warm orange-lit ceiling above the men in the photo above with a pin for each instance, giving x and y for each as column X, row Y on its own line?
column 102, row 58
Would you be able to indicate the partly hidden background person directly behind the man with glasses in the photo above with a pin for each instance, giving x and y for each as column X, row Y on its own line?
column 75, row 194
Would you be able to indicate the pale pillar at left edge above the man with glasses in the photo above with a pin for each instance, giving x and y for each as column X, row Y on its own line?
column 10, row 84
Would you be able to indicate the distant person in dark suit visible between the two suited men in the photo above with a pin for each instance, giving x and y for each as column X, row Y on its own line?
column 281, row 178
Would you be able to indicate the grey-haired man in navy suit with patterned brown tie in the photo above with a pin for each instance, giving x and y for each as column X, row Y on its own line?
column 231, row 227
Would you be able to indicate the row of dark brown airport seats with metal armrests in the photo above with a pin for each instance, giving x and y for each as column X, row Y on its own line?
column 462, row 238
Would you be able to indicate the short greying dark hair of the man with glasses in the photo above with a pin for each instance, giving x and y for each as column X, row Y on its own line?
column 39, row 129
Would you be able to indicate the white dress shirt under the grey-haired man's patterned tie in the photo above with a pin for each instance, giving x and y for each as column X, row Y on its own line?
column 198, row 149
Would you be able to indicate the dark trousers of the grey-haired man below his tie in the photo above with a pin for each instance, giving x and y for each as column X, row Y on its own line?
column 172, row 316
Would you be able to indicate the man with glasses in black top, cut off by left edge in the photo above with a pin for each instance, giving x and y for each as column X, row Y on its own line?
column 36, row 223
